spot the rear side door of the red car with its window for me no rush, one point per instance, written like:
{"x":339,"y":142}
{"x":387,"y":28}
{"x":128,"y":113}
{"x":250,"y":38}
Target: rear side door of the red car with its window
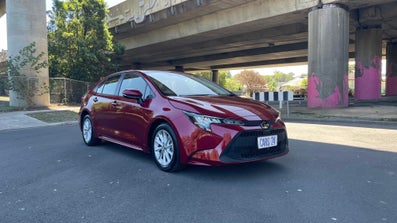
{"x":103,"y":108}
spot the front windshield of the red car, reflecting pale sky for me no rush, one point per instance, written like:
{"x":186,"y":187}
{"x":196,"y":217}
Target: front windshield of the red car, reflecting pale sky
{"x":179,"y":84}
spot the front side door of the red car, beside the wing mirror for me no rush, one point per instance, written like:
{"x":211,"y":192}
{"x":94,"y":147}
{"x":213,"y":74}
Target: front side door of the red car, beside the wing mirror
{"x":133,"y":117}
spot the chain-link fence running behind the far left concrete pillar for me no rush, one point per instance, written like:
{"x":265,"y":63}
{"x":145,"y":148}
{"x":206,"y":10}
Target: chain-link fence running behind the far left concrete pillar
{"x":62,"y":90}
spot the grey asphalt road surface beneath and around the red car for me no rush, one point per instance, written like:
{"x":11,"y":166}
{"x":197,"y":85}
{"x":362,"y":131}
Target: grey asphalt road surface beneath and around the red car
{"x":47,"y":174}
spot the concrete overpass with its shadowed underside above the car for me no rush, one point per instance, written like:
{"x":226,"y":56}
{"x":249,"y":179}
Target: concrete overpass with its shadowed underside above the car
{"x":210,"y":35}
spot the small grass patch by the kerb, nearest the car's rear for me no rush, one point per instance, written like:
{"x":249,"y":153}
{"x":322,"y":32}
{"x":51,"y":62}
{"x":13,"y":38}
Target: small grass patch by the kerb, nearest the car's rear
{"x":55,"y":116}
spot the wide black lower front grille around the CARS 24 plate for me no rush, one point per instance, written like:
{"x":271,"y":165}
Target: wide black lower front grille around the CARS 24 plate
{"x":244,"y":146}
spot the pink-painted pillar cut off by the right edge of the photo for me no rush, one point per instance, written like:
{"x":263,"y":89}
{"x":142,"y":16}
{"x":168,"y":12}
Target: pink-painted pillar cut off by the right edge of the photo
{"x":391,"y":69}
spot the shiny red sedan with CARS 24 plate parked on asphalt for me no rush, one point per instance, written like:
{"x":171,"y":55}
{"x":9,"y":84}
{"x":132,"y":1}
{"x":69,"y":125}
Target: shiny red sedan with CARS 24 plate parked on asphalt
{"x":181,"y":119}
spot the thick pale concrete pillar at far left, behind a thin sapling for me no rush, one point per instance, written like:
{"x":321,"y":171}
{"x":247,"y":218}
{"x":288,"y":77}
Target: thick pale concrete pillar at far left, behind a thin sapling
{"x":26,"y":23}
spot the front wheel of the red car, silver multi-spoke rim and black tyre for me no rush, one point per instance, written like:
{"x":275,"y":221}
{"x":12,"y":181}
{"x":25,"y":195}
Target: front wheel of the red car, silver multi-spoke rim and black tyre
{"x":165,"y":149}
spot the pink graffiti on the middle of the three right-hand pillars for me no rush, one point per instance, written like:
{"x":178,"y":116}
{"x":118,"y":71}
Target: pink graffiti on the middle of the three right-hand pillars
{"x":368,"y":85}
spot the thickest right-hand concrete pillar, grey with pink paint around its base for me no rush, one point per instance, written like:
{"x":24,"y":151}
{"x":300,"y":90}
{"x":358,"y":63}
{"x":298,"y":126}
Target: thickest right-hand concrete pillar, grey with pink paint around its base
{"x":328,"y":56}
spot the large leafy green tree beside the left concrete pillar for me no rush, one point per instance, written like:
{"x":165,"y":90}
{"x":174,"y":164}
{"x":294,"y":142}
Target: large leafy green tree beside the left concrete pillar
{"x":80,"y":45}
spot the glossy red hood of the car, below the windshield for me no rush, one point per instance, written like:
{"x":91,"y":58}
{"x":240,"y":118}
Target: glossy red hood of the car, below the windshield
{"x":233,"y":107}
